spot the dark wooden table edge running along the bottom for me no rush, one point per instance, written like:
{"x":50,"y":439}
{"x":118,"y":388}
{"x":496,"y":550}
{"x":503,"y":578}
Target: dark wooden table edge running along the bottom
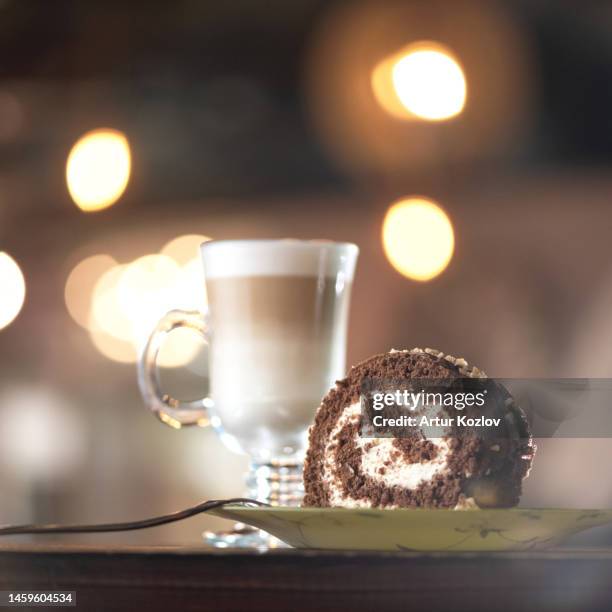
{"x":183,"y":579}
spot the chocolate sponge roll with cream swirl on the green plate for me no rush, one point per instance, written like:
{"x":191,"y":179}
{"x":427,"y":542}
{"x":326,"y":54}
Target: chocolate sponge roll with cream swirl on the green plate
{"x":473,"y":470}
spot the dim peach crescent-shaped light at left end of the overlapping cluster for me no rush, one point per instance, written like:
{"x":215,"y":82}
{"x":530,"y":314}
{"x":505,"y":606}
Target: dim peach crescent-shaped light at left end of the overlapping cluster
{"x":80,"y":285}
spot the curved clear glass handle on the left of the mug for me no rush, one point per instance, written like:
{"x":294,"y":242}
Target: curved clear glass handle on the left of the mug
{"x":169,"y":410}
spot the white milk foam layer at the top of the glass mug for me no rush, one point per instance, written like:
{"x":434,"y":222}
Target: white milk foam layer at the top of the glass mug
{"x":238,"y":258}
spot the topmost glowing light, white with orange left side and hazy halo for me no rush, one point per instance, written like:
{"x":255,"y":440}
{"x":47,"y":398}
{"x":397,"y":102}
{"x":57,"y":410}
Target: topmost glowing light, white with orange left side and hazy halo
{"x":423,"y":81}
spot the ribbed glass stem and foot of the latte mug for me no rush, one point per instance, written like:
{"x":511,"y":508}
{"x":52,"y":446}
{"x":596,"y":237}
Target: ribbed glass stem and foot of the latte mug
{"x":277,"y":482}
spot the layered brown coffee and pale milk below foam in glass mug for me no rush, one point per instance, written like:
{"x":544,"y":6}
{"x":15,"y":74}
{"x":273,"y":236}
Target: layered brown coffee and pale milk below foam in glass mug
{"x":277,"y":345}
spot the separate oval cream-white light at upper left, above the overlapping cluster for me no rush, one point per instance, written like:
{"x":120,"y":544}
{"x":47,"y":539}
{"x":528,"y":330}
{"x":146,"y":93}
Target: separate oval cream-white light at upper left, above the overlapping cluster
{"x":98,"y":169}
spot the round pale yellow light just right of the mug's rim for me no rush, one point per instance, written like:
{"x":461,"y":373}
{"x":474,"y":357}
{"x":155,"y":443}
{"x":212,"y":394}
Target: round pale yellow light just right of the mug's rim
{"x":418,"y":238}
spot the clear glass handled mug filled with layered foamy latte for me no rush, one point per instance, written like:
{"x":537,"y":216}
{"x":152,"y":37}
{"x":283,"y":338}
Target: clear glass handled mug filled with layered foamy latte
{"x":276,"y":326}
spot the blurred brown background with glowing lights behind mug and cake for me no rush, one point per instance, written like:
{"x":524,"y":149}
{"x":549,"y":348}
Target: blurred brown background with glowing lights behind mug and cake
{"x":465,"y":146}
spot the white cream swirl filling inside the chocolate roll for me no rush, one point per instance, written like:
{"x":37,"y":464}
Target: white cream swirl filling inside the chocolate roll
{"x":375,"y":452}
